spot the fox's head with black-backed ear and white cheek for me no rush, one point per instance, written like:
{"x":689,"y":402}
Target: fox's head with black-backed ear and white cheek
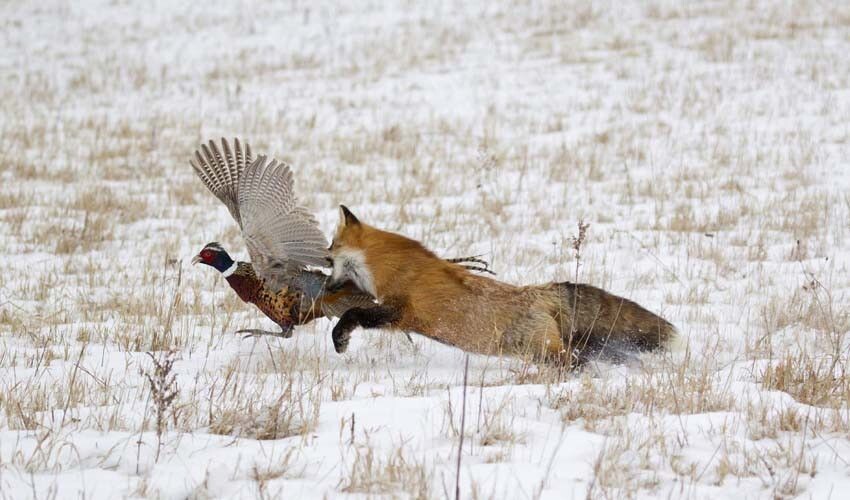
{"x":349,"y":254}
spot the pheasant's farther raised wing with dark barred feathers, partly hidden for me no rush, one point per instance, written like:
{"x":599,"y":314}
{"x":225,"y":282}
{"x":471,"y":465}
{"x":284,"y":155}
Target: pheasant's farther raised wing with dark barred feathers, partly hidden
{"x":221,"y":171}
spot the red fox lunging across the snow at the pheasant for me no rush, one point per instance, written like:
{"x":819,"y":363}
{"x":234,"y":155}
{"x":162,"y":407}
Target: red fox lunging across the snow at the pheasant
{"x":566,"y":323}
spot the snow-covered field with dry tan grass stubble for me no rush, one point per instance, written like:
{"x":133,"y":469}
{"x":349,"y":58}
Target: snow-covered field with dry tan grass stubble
{"x":706,"y":143}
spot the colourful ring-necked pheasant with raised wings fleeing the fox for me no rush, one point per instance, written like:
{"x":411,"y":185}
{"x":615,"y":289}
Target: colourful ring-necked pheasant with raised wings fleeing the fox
{"x":282,"y":238}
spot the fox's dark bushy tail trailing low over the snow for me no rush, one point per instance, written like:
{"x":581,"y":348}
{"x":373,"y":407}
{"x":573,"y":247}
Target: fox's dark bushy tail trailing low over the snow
{"x":601,"y":324}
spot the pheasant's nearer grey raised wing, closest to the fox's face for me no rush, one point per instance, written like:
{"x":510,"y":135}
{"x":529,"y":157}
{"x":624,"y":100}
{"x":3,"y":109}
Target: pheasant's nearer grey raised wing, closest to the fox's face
{"x":282,"y":237}
